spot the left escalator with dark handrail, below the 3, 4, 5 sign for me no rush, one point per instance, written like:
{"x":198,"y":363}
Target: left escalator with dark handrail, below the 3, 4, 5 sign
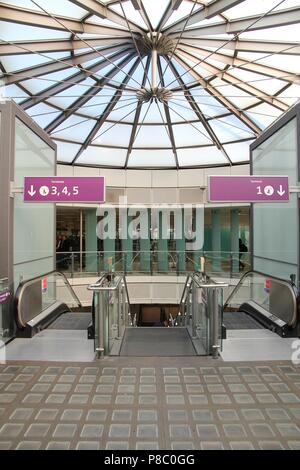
{"x":47,"y":301}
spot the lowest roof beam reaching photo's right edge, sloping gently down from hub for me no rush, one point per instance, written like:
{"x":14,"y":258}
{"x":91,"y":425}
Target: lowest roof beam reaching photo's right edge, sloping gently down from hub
{"x":243,"y":64}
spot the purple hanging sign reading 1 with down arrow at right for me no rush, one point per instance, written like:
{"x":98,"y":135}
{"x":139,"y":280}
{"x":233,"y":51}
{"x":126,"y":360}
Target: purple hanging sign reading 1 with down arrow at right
{"x":248,"y":188}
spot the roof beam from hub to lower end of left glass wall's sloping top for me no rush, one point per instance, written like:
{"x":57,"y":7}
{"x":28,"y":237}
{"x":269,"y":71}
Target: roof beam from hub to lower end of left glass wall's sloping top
{"x":92,"y":91}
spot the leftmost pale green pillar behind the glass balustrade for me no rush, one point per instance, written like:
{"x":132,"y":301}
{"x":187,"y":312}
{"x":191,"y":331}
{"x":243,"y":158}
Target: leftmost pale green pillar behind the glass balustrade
{"x":91,"y":264}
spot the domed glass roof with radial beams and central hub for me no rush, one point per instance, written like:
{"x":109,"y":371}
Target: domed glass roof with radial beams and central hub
{"x":151,"y":83}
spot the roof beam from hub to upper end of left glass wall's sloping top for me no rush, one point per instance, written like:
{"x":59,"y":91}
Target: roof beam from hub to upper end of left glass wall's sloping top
{"x":73,"y":80}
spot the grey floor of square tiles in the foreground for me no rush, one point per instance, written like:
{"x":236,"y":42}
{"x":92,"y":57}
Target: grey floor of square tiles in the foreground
{"x":150,"y":403}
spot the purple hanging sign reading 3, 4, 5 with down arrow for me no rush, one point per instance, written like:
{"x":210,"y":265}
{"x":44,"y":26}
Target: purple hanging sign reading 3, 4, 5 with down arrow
{"x":64,"y":189}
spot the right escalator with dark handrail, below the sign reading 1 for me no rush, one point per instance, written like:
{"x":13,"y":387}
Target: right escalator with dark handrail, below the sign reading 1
{"x":263,"y":301}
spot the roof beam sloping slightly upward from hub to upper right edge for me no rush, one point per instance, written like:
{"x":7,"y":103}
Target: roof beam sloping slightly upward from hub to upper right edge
{"x":251,"y":23}
